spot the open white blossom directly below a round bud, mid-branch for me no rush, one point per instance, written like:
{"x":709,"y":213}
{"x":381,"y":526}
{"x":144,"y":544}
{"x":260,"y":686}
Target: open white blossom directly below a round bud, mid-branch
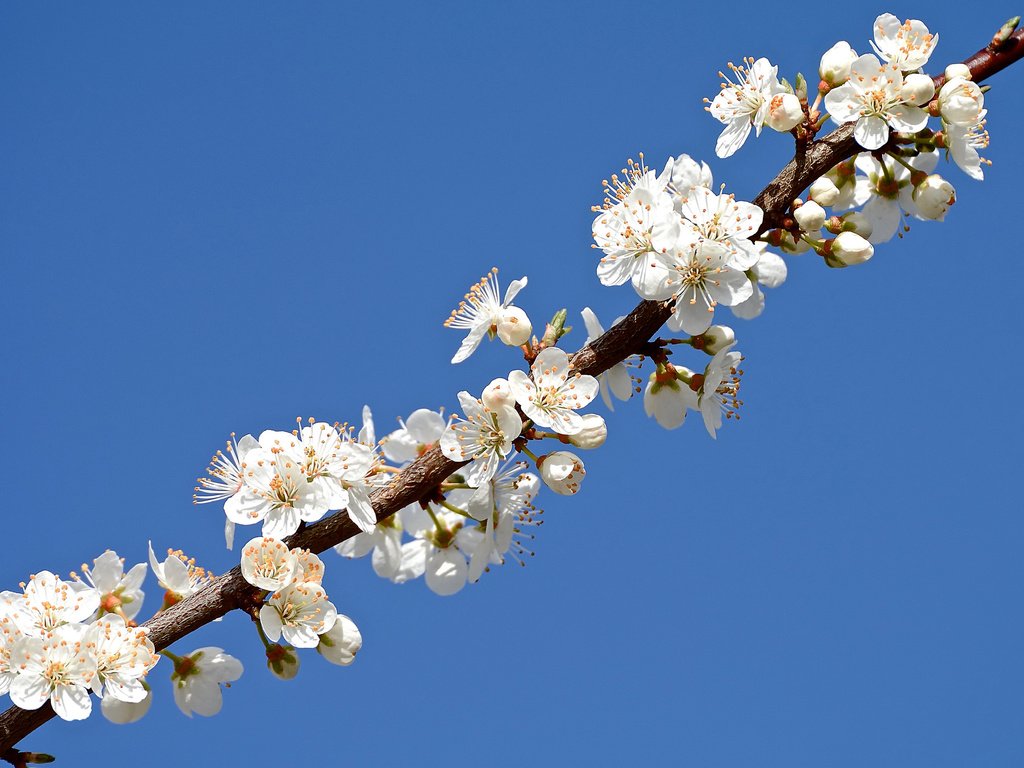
{"x":484,"y":438}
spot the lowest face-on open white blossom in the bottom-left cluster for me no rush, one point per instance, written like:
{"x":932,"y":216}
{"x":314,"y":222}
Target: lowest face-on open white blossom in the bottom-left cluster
{"x":58,"y":669}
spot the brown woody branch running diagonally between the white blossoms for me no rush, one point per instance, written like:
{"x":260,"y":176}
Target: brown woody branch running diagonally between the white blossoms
{"x":230,"y":591}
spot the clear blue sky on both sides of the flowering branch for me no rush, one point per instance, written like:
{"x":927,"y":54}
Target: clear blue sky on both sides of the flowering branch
{"x":219,"y":218}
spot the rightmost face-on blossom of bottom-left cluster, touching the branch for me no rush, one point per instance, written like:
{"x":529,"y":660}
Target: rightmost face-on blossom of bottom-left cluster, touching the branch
{"x":123,"y":657}
